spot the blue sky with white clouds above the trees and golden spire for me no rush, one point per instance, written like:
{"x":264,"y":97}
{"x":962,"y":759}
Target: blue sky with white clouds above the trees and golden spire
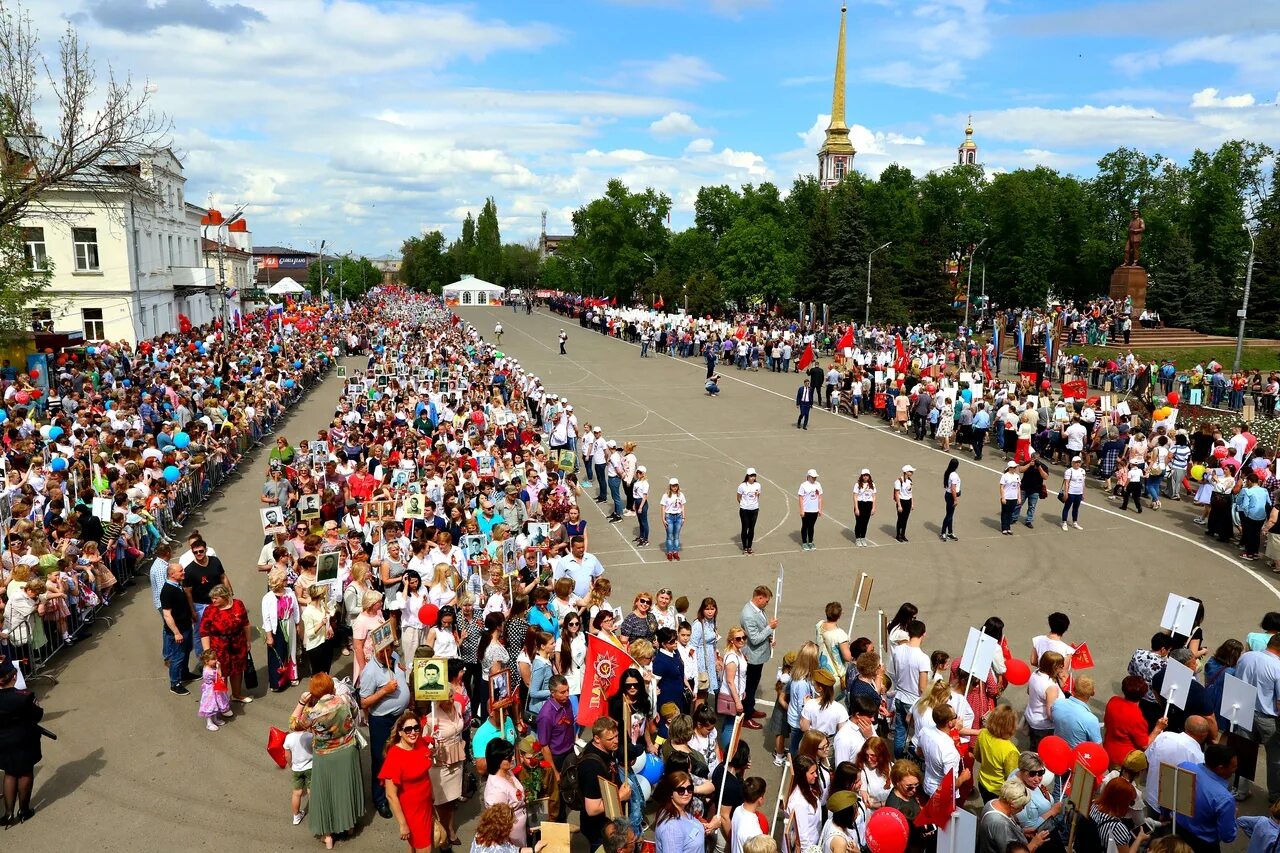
{"x":363,"y":122}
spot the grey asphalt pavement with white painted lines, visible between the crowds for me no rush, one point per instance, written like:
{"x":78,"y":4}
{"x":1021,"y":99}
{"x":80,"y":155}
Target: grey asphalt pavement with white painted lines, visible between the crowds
{"x":135,"y":769}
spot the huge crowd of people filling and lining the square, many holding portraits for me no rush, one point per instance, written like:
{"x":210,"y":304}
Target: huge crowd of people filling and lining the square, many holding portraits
{"x":428,"y":576}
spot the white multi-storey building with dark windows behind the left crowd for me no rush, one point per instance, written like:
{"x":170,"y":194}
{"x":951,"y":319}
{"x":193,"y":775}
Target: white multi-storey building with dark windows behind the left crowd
{"x":126,"y":253}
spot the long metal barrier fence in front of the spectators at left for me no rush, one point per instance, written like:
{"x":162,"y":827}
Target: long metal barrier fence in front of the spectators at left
{"x":34,"y":633}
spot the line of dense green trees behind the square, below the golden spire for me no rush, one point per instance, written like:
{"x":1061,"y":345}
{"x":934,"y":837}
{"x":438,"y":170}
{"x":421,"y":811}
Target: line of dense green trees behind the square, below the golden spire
{"x":1040,"y":236}
